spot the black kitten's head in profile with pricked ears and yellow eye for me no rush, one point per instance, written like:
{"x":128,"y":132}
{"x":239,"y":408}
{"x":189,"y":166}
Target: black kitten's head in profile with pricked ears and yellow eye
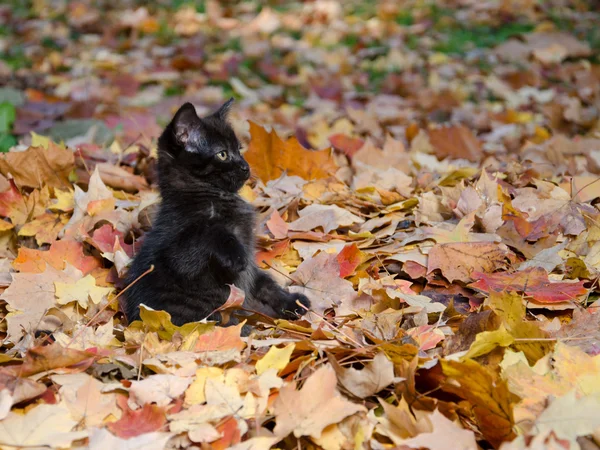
{"x":194,"y":151}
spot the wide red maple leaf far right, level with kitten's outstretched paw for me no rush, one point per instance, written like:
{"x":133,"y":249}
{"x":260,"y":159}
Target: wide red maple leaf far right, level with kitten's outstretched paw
{"x":533,"y":282}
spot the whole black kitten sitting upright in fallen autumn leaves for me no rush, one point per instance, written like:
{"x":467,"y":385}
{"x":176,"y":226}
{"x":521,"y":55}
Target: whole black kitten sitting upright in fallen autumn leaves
{"x":203,"y":237}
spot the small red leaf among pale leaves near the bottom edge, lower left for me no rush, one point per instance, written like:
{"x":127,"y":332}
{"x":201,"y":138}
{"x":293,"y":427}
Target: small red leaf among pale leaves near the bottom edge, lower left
{"x":132,"y":423}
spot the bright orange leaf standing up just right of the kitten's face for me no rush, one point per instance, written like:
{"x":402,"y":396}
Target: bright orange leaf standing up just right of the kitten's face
{"x":269,"y":157}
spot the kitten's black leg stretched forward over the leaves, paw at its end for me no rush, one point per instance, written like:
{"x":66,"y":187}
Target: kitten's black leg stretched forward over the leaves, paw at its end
{"x":266,"y":290}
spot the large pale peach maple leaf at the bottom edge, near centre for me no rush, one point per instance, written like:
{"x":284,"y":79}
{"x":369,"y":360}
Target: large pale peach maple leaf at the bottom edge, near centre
{"x":316,"y":405}
